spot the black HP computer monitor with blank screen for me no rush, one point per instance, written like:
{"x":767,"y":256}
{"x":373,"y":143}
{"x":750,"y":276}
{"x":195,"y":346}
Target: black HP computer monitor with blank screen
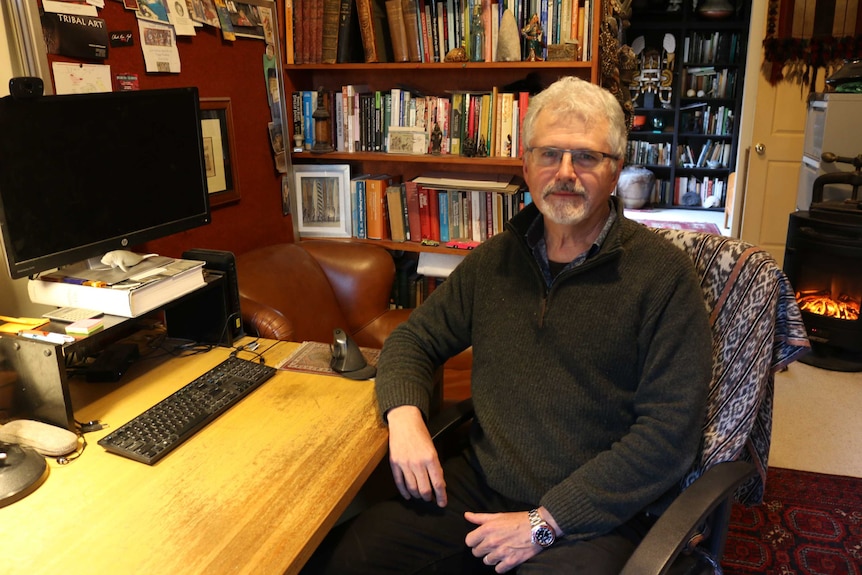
{"x":84,"y":174}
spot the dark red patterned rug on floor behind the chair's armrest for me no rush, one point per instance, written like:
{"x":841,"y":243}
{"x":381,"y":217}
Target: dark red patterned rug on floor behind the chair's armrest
{"x":808,"y":524}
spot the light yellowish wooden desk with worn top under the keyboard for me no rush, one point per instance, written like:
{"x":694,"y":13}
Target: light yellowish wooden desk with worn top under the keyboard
{"x":253,"y":492}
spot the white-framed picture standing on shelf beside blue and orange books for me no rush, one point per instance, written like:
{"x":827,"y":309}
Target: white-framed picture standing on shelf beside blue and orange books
{"x":323,"y":200}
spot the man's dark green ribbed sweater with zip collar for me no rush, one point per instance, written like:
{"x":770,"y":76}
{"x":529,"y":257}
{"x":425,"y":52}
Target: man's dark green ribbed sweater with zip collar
{"x":589,"y":395}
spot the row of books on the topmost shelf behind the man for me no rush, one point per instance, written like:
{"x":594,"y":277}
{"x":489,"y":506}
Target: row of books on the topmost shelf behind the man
{"x":343,"y":31}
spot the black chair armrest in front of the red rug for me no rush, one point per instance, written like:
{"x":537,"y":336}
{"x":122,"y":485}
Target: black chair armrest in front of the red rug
{"x":670,"y":534}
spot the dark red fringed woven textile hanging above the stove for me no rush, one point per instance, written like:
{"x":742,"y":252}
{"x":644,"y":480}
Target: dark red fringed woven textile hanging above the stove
{"x":804,"y":37}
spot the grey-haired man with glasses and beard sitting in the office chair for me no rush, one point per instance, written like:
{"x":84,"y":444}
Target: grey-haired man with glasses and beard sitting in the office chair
{"x":592,"y":360}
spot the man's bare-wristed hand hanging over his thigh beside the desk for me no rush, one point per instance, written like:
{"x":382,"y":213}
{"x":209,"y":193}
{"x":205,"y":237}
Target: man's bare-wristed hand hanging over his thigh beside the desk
{"x":413,"y":457}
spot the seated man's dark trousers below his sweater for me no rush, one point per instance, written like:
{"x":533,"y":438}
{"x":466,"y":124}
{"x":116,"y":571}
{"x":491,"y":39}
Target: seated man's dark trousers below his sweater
{"x":415,"y":537}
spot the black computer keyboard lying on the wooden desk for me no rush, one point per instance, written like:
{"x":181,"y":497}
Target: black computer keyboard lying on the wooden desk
{"x":152,"y":434}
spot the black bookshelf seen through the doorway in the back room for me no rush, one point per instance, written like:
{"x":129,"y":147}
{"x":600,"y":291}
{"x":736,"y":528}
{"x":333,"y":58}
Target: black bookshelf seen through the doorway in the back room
{"x":687,"y":130}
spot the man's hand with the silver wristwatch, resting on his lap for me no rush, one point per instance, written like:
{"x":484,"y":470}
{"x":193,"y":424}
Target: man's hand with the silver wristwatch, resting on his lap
{"x":503,"y":539}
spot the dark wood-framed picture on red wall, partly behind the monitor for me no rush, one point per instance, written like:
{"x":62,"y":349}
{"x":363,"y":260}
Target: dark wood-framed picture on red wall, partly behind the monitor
{"x":218,"y":141}
